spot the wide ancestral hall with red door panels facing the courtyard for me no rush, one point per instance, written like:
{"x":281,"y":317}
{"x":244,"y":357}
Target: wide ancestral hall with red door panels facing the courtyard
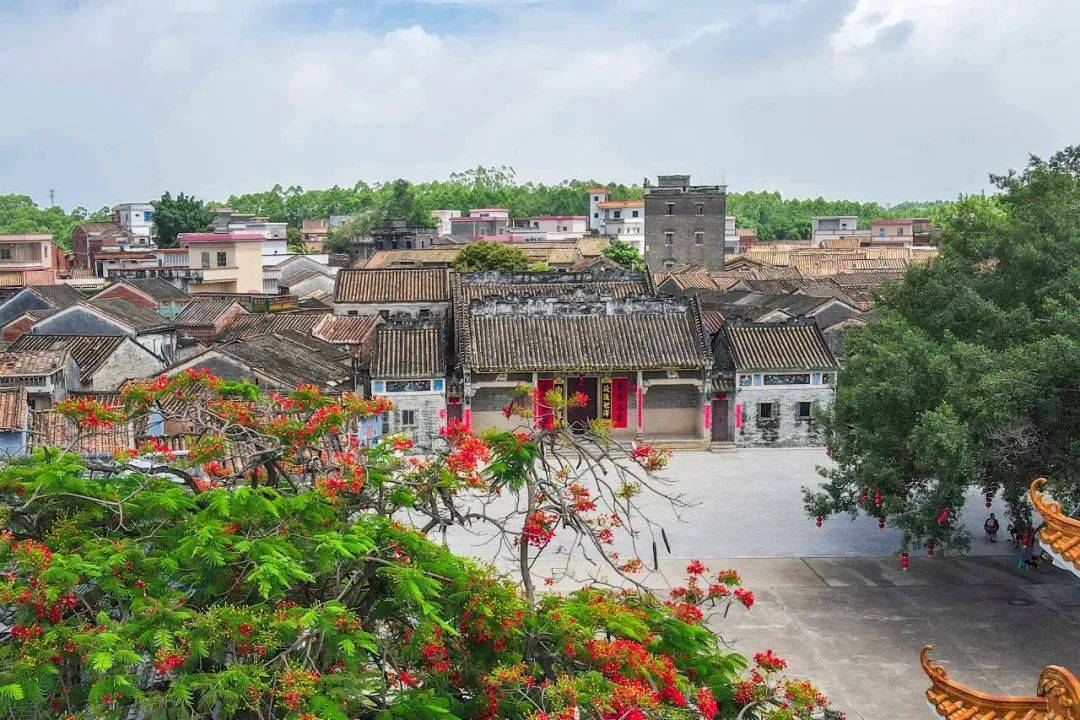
{"x":638,"y":357}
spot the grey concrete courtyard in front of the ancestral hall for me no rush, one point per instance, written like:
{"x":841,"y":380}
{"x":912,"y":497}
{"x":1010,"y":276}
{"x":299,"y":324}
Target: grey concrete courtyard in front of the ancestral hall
{"x":834,"y":602}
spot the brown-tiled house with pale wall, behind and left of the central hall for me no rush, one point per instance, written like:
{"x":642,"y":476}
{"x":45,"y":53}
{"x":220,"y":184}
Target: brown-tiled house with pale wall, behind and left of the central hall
{"x":417,"y":293}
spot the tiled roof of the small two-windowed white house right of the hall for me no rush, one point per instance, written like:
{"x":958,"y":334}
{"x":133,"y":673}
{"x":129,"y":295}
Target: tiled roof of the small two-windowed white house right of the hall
{"x":778,"y":347}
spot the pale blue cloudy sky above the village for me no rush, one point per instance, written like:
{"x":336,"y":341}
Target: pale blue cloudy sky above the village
{"x":117,"y":101}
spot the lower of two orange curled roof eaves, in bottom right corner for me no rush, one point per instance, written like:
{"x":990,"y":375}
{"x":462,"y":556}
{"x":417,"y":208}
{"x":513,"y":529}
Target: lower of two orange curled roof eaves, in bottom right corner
{"x":1058,"y":697}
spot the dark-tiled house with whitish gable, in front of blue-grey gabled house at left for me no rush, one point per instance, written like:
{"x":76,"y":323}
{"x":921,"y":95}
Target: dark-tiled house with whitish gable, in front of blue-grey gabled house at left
{"x":105,"y":362}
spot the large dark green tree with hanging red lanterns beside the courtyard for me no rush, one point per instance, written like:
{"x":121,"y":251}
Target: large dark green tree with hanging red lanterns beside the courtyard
{"x":970,"y":379}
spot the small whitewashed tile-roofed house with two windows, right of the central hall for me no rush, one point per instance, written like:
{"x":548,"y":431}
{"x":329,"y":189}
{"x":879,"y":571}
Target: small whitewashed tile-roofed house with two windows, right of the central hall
{"x":771,"y":379}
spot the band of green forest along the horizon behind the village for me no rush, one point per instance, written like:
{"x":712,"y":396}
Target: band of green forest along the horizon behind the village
{"x":774,"y":216}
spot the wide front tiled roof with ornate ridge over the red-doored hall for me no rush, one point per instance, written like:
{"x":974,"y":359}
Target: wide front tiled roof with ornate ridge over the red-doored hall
{"x":509,"y":336}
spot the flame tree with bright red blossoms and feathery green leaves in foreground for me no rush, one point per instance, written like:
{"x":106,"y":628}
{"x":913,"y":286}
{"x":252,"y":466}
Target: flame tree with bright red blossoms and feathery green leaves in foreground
{"x":247,"y":565}
